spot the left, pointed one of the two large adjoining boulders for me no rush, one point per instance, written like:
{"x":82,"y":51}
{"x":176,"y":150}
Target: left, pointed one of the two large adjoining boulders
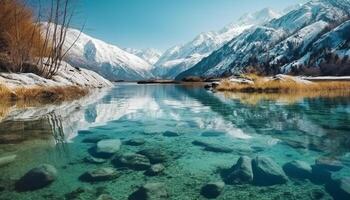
{"x":241,"y":173}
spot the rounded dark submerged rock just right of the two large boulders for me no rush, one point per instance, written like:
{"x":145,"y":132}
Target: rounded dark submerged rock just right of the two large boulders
{"x":298,"y":169}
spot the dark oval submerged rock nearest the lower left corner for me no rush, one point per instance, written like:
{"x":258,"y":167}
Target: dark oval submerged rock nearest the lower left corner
{"x":37,"y":178}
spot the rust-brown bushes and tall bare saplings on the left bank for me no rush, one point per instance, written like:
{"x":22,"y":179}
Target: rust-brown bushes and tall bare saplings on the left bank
{"x":26,"y":45}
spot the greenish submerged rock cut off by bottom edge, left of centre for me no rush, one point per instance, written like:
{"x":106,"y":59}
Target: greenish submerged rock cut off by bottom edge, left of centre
{"x":150,"y":191}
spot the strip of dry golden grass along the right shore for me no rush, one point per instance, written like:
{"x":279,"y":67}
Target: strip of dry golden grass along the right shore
{"x":263,"y":85}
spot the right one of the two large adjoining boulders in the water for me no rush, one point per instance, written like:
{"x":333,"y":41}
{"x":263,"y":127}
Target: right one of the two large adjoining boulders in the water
{"x":266,"y":172}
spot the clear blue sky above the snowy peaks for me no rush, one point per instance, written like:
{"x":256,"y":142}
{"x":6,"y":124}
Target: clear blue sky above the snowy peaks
{"x":163,"y":23}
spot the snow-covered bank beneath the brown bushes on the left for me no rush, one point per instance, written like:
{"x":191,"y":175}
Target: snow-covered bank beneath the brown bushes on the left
{"x":66,"y":76}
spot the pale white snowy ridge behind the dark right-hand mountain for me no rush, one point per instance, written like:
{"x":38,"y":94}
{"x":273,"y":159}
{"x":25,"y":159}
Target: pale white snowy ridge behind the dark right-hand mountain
{"x":180,"y":58}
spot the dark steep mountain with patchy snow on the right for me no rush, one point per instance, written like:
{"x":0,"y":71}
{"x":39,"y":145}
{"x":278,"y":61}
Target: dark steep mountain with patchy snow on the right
{"x":302,"y":37}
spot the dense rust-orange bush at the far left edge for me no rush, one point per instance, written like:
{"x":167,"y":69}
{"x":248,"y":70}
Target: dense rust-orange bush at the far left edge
{"x":20,"y":37}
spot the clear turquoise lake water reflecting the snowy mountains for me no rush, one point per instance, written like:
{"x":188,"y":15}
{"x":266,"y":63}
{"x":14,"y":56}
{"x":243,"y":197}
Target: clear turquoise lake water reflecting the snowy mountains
{"x":199,"y":136}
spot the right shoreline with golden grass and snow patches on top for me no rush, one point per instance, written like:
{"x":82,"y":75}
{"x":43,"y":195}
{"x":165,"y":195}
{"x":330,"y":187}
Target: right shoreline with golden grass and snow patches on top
{"x":282,"y":84}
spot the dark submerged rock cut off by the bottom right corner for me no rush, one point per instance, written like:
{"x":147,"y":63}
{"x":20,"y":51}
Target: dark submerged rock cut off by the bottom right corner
{"x":340,"y":188}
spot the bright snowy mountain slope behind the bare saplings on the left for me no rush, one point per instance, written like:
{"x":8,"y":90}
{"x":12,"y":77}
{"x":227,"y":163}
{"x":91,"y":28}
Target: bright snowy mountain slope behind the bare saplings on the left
{"x":108,"y":60}
